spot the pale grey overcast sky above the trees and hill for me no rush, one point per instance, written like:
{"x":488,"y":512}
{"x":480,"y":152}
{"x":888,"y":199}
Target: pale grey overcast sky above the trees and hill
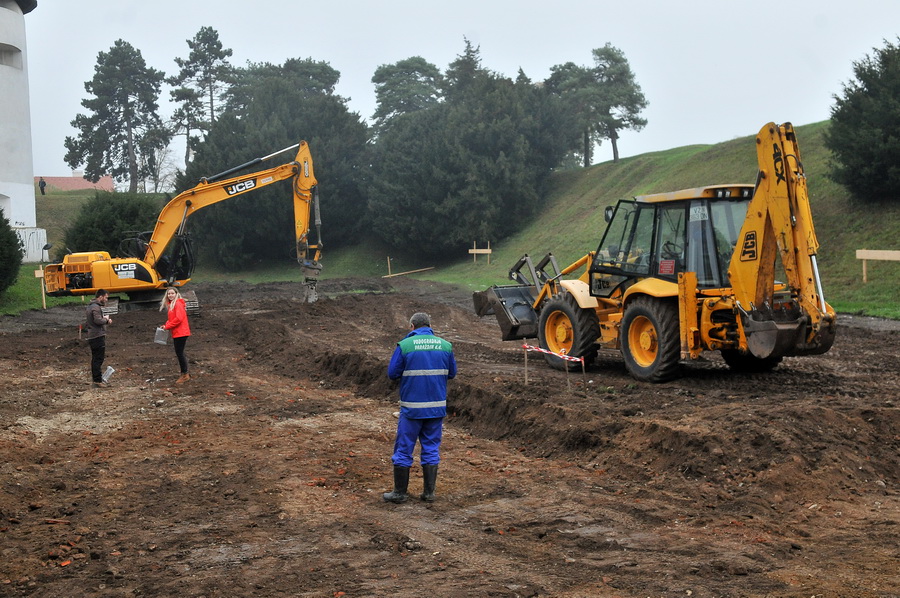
{"x":711,"y":70}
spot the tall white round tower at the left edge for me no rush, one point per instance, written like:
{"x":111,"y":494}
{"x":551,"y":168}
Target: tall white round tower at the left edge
{"x":16,"y":165}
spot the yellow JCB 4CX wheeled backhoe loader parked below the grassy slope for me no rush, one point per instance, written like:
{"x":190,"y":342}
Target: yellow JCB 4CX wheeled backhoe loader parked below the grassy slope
{"x":680,"y":273}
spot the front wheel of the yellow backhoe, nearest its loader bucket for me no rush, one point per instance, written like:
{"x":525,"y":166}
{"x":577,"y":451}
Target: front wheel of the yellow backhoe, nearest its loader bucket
{"x":566,"y":328}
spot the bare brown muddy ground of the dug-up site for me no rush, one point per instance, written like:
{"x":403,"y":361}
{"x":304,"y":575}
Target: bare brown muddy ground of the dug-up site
{"x":263,"y":475}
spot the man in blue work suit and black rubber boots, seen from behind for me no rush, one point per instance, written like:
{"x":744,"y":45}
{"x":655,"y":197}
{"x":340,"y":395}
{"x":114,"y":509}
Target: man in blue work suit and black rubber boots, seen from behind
{"x":423,"y":362}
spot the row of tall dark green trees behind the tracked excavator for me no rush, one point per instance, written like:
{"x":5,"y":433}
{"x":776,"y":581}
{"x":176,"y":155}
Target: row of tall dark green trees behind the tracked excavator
{"x":450,"y":156}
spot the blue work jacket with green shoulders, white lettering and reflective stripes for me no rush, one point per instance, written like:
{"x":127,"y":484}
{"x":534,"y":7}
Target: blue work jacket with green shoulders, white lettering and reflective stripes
{"x":423,"y":363}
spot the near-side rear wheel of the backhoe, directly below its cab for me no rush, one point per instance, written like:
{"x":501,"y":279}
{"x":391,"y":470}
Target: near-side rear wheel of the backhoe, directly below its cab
{"x":651,"y":340}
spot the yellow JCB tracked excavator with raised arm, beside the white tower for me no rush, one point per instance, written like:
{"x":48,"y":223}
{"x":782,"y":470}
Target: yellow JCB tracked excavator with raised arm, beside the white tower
{"x":165,"y":256}
